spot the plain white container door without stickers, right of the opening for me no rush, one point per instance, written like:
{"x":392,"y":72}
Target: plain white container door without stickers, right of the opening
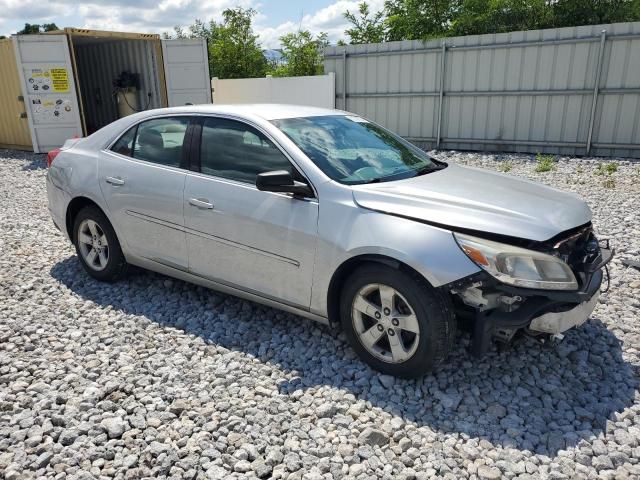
{"x":186,"y":67}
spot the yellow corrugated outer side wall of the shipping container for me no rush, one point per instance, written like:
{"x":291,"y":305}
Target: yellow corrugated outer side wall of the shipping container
{"x":14,"y":129}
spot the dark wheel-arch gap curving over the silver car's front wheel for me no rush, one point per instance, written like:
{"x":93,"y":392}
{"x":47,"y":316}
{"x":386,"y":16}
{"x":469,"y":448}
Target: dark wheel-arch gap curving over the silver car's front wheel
{"x":348,"y":267}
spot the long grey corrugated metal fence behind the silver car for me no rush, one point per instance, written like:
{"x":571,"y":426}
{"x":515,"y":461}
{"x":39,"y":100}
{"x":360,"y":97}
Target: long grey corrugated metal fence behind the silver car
{"x":567,"y":91}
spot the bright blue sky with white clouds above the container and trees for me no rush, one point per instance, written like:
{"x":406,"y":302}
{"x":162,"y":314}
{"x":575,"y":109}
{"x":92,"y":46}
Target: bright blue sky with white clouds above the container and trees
{"x":274,"y":18}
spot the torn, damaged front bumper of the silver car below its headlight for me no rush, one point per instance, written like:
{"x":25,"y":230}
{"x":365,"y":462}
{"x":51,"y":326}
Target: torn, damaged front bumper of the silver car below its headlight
{"x":501,"y":310}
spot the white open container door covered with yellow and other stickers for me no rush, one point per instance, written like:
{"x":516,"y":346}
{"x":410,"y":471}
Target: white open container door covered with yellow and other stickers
{"x":49,"y":89}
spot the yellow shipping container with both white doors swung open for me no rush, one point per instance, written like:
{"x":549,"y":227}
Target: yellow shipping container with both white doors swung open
{"x":76,"y":81}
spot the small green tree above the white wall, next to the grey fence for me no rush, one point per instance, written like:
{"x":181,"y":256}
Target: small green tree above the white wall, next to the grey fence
{"x":302,"y":54}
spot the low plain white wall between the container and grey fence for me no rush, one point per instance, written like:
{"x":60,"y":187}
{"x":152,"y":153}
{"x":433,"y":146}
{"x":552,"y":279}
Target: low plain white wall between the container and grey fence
{"x":316,"y":91}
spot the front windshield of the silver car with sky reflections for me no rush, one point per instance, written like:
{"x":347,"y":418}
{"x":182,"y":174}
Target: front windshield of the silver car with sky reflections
{"x":352,"y":150}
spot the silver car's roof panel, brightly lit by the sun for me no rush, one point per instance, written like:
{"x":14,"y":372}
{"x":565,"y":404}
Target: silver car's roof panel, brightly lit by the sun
{"x":267,"y":111}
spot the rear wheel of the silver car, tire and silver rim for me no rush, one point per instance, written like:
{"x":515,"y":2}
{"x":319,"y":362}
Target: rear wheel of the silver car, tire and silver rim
{"x":97,"y":245}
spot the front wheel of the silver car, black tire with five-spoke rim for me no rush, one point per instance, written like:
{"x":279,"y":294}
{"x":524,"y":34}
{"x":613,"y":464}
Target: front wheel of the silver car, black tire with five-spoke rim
{"x":396,"y":321}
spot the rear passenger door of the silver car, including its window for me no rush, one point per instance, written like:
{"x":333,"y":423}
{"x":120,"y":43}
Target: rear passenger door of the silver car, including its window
{"x":142,"y":179}
